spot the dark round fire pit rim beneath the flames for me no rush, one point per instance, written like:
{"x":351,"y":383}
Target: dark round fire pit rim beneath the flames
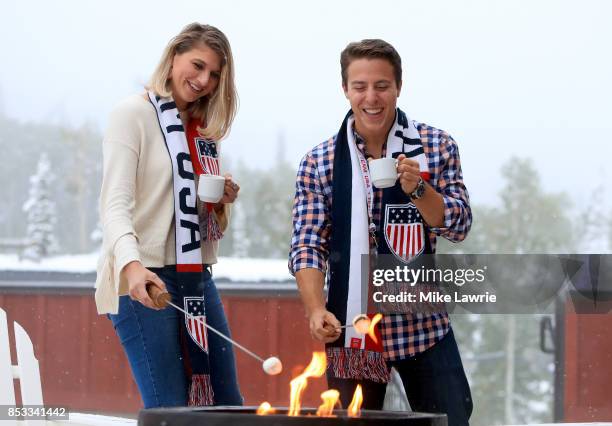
{"x":228,"y":416}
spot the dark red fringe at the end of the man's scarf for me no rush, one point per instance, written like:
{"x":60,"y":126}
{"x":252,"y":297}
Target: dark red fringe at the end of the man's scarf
{"x":349,"y":363}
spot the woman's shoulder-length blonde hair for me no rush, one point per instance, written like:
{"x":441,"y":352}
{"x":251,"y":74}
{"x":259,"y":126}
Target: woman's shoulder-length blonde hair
{"x":217,"y":109}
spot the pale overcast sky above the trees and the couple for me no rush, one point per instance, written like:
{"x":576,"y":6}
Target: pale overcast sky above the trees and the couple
{"x":522,"y":77}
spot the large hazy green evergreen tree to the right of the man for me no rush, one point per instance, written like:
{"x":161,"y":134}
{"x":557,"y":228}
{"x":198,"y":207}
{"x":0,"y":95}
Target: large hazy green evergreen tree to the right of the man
{"x":511,"y":379}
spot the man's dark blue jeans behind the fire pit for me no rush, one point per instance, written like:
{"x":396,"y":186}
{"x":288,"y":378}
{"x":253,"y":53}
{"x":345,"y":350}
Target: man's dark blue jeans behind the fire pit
{"x":434,"y":382}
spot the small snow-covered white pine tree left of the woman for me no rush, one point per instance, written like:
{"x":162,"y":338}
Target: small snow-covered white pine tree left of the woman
{"x":41,"y":214}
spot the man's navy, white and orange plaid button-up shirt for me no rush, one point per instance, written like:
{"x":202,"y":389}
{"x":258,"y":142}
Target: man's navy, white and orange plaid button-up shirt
{"x":404,"y":335}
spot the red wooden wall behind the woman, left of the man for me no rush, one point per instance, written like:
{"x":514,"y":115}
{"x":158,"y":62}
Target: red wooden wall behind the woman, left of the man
{"x":83,"y":365}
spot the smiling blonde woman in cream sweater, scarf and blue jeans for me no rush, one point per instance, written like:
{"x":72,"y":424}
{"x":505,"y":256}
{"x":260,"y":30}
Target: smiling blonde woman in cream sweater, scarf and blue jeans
{"x":156,"y":231}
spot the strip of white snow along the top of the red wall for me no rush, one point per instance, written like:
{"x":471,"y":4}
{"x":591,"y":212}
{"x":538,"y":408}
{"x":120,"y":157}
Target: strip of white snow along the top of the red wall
{"x":230,"y":268}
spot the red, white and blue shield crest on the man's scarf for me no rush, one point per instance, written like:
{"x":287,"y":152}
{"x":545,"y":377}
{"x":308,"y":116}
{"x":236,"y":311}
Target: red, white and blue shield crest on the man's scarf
{"x":404,"y":231}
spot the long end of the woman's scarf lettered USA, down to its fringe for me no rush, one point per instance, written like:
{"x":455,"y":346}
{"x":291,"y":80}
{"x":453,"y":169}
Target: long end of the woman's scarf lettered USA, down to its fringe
{"x":188,"y":245}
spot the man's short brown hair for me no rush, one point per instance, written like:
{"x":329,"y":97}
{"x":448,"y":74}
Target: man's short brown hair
{"x":370,"y":49}
